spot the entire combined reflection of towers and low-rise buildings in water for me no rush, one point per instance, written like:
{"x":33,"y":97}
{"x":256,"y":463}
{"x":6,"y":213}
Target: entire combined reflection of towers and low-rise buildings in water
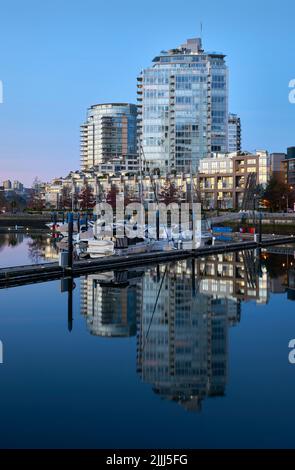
{"x":181,"y":313}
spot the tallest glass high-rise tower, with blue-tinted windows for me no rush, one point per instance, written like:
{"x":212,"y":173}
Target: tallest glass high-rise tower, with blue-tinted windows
{"x":183,"y":108}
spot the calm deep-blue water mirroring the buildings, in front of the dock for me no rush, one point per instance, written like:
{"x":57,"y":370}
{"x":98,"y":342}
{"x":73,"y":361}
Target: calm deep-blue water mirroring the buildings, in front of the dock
{"x":150,"y":358}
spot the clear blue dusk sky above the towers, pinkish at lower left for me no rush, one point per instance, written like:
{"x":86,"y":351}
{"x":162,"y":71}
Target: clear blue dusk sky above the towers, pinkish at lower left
{"x":57,"y":58}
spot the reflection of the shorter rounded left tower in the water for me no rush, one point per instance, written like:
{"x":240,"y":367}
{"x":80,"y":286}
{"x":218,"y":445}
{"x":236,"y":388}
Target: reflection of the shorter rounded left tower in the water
{"x":110,"y":310}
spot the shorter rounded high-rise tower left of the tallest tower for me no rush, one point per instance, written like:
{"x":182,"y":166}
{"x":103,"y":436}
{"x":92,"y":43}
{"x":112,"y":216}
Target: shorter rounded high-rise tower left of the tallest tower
{"x":109,"y":138}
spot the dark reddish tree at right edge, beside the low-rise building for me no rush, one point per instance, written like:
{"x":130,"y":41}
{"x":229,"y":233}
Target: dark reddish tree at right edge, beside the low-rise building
{"x":275,"y":193}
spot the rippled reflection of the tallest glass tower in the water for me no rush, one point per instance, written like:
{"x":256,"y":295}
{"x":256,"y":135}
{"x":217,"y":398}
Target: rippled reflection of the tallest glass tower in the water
{"x":182,"y":338}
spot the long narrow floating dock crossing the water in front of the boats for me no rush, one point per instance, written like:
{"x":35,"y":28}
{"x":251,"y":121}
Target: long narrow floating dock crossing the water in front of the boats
{"x":40,"y":273}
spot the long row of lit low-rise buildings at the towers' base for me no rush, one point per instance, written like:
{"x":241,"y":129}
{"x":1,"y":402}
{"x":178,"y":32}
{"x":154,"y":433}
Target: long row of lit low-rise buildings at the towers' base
{"x":220,"y":183}
